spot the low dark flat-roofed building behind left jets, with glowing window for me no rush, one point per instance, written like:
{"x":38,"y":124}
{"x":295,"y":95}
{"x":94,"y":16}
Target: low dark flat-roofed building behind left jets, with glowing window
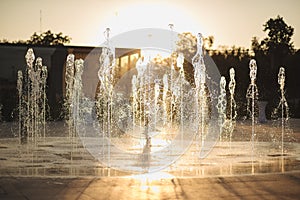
{"x":12,"y":59}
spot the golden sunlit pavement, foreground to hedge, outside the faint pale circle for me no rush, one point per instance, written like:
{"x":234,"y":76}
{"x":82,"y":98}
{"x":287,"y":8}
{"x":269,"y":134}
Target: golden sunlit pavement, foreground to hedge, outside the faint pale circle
{"x":54,"y":168}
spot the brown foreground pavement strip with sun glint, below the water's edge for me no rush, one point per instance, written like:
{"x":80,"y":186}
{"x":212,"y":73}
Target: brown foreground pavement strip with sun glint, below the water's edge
{"x":266,"y":186}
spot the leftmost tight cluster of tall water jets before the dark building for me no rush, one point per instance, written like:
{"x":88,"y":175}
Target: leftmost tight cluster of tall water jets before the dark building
{"x":32,"y":99}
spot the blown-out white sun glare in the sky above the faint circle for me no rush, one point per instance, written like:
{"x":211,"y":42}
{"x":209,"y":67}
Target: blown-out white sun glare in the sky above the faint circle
{"x":149,"y":15}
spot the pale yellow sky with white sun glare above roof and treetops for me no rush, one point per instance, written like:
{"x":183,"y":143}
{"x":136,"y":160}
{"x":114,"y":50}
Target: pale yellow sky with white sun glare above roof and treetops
{"x":231,"y":22}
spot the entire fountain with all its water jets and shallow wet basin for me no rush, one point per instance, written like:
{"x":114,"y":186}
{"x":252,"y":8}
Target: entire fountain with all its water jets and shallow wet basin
{"x":152,"y":118}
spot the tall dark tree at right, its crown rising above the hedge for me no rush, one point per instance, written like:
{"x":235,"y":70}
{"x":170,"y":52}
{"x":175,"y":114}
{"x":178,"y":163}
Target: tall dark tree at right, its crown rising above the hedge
{"x":271,"y":53}
